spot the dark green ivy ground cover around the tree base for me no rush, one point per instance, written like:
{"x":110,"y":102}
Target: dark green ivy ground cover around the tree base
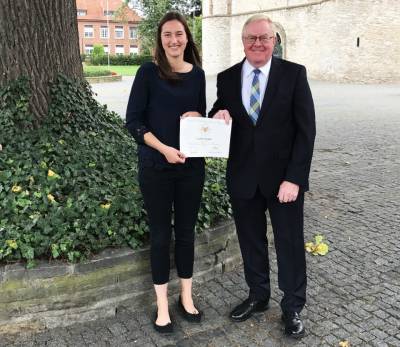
{"x":68,"y":187}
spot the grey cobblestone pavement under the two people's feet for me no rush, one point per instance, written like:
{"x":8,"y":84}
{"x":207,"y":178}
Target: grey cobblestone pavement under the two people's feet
{"x":353,"y":291}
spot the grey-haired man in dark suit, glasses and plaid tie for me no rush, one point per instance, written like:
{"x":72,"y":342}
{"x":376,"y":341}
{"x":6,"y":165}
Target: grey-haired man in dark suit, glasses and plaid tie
{"x":272,"y":142}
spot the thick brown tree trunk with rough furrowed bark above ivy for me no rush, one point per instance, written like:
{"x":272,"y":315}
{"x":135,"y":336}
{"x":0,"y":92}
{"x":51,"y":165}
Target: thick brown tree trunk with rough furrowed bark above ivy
{"x":38,"y":39}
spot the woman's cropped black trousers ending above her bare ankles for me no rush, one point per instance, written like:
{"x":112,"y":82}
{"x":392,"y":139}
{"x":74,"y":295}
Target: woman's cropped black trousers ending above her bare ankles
{"x":165,"y":189}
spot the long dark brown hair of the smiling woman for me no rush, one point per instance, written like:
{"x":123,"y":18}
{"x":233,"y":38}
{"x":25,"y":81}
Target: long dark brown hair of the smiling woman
{"x":191,"y":54}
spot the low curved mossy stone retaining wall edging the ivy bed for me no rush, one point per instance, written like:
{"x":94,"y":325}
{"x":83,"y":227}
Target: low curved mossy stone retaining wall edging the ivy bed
{"x":59,"y":294}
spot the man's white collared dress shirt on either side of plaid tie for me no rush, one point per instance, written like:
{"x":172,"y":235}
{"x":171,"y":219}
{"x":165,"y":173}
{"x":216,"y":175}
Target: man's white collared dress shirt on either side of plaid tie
{"x":247,"y":79}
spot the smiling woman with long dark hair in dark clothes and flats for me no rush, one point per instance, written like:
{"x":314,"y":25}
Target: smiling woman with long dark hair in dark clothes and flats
{"x":162,"y":93}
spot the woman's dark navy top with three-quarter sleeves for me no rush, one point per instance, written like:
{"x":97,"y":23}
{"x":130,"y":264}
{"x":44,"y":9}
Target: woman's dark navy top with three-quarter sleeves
{"x":156,"y":105}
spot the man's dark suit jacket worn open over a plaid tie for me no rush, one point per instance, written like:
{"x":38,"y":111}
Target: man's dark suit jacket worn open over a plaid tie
{"x":280,"y":146}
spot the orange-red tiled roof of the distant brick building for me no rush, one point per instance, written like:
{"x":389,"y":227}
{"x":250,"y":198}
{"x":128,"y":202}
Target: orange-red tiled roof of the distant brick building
{"x":95,"y":10}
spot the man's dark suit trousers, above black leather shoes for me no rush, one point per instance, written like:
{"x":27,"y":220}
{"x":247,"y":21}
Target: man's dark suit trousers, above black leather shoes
{"x":287,"y":225}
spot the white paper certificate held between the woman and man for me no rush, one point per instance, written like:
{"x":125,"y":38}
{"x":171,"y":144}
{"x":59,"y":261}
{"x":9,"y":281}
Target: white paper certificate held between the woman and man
{"x":204,"y":137}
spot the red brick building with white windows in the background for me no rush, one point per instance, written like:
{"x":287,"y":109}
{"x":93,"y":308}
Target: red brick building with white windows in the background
{"x":97,"y":24}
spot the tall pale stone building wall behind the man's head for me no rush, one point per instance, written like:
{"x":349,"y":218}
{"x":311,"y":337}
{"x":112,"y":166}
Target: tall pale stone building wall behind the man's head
{"x":337,"y":40}
